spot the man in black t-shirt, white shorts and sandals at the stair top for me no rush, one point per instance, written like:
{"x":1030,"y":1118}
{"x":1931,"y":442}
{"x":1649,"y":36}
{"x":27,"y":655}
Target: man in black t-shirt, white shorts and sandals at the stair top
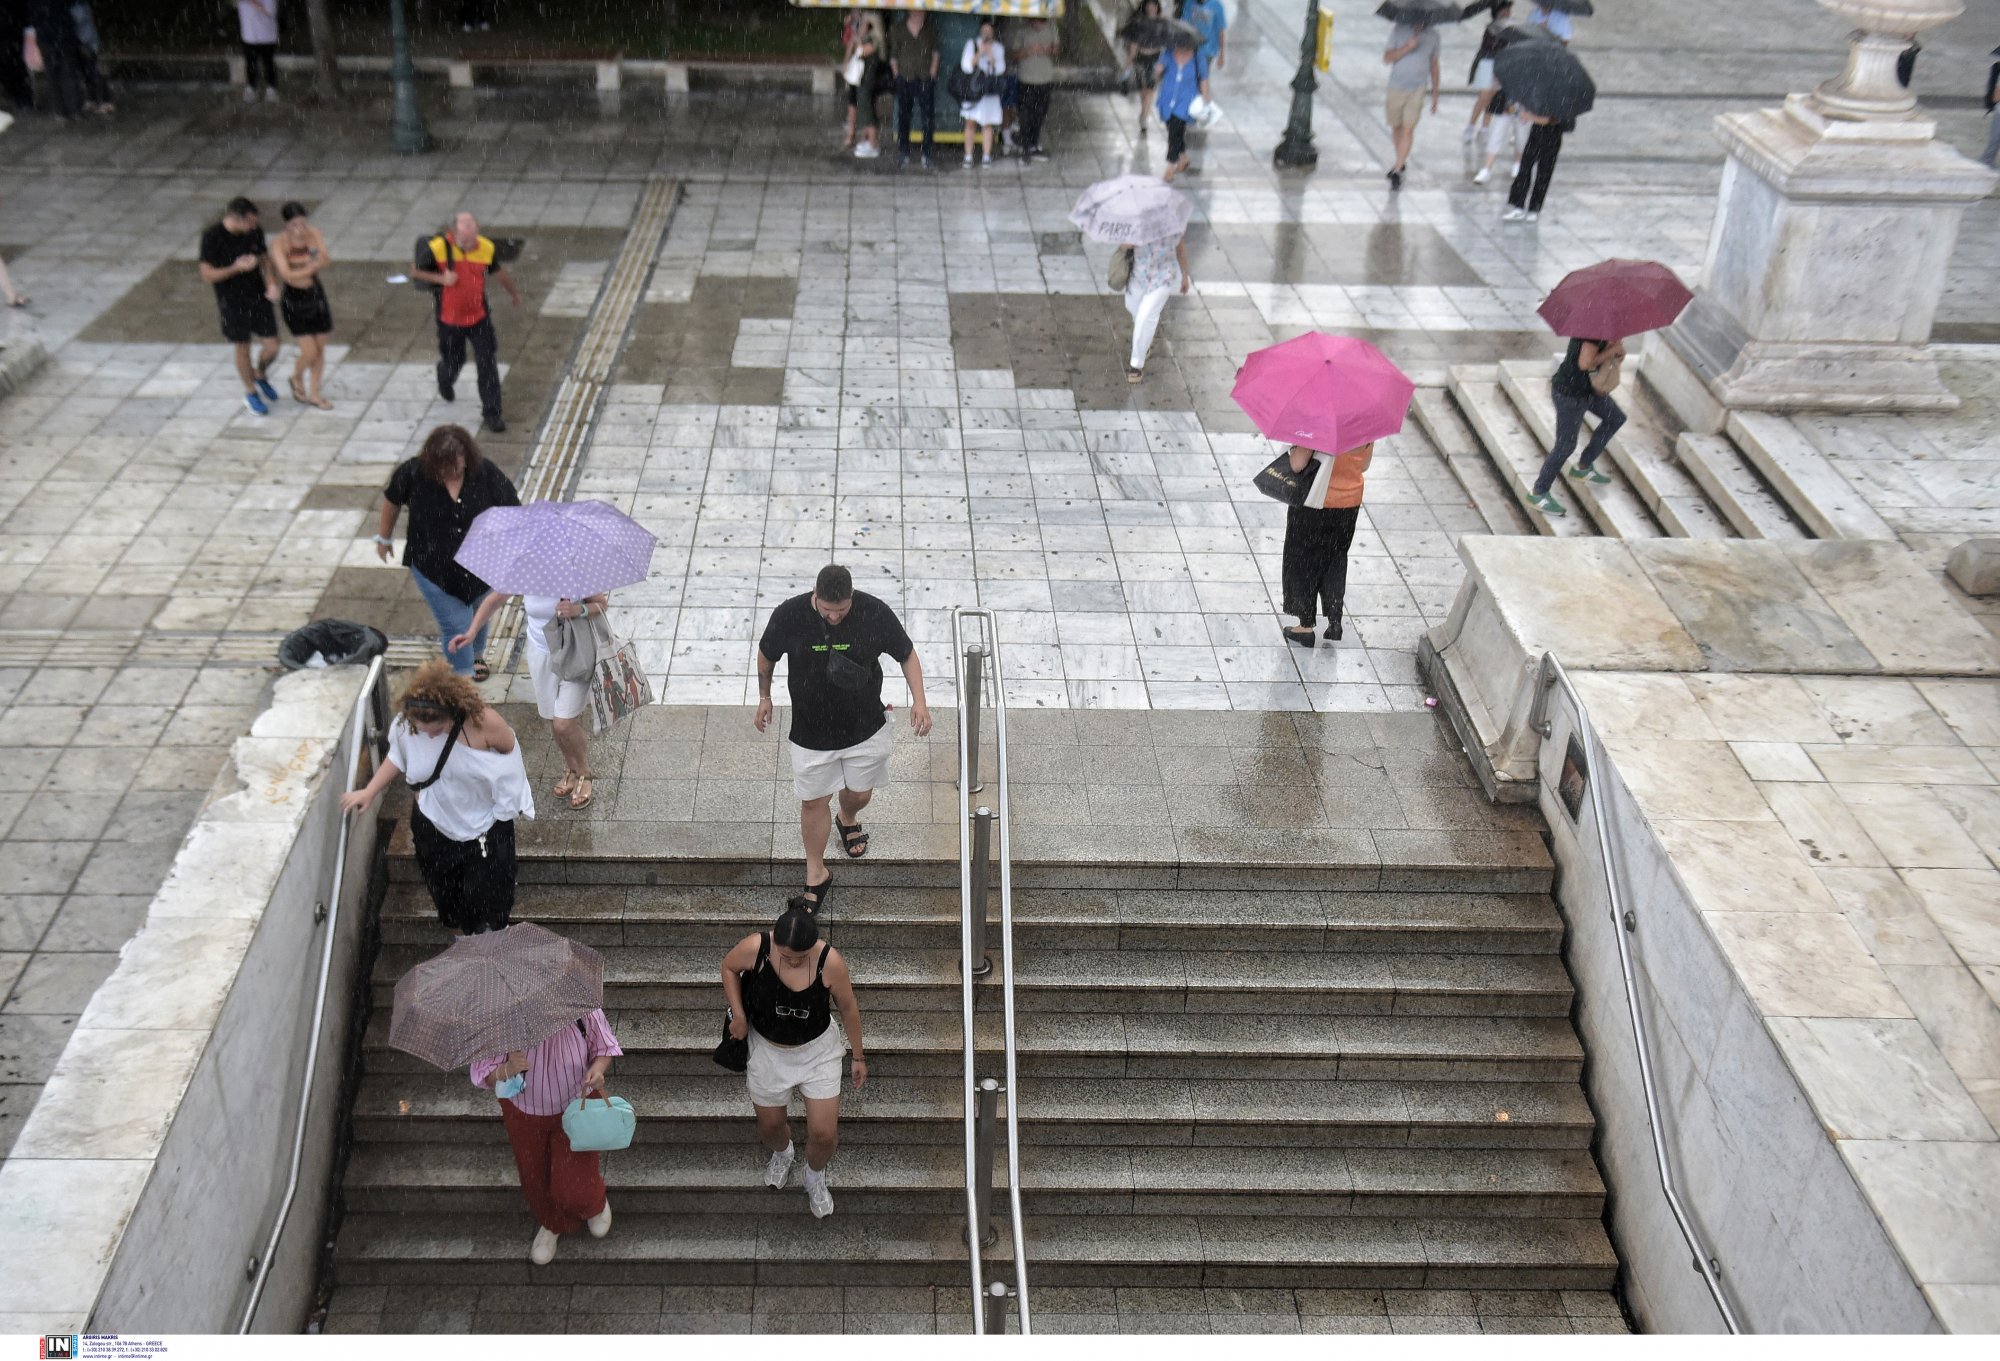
{"x":841,"y":736}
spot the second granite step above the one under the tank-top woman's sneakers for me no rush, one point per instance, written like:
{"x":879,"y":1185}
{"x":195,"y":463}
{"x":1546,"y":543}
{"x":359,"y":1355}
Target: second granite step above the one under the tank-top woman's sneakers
{"x":929,"y":1044}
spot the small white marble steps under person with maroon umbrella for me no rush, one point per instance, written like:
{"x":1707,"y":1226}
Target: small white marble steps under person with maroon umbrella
{"x":1763,"y":479}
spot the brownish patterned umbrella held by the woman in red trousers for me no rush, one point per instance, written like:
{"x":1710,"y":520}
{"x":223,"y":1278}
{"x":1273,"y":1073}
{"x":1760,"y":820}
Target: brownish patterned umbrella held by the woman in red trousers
{"x":495,"y":994}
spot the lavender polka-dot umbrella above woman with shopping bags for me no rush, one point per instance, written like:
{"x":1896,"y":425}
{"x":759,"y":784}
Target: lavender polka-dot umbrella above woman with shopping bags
{"x":565,"y":549}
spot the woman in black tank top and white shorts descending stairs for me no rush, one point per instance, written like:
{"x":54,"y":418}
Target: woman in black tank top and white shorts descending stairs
{"x":783,"y":988}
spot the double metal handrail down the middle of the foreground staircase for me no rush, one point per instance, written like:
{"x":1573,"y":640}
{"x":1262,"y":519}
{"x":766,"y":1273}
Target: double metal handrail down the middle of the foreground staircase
{"x":969,"y":704}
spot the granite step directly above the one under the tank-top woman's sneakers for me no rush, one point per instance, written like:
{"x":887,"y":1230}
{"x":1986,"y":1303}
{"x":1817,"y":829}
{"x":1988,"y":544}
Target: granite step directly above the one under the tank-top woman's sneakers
{"x":1063,"y":1112}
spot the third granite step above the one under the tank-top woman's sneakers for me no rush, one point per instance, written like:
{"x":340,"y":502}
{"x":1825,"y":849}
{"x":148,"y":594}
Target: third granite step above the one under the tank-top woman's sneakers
{"x":1143,"y":982}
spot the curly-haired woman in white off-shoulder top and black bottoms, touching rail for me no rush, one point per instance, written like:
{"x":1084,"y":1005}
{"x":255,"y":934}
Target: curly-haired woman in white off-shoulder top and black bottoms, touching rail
{"x":471,"y":786}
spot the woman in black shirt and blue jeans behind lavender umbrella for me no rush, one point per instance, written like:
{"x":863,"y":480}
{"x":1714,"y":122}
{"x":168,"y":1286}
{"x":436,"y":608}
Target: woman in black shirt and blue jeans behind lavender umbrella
{"x":447,"y":487}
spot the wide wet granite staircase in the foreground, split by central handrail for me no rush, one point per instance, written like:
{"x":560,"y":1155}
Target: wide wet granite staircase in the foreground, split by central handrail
{"x":1253,"y":1088}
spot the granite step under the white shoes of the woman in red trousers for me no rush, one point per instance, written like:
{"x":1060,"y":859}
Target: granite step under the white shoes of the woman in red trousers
{"x":929,"y":1250}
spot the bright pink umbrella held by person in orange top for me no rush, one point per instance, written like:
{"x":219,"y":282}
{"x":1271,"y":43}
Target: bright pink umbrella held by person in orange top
{"x":1329,"y":393}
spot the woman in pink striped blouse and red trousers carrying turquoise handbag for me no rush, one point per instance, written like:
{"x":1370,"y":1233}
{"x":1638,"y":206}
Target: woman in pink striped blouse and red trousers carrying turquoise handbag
{"x":565,"y":1188}
